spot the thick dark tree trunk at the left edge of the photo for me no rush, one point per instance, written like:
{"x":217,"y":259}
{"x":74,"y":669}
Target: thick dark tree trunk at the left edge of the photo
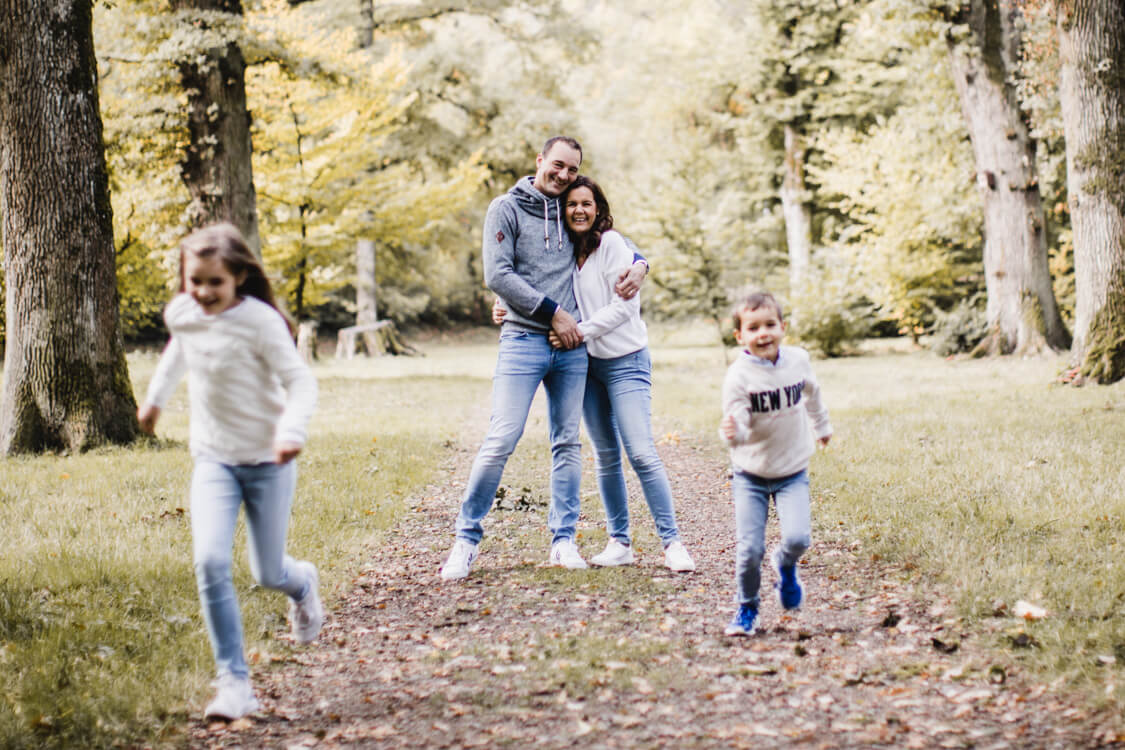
{"x":66,"y":382}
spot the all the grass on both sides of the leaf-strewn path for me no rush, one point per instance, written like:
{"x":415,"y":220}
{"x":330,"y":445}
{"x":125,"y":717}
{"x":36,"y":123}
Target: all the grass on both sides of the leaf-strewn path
{"x":978,"y":477}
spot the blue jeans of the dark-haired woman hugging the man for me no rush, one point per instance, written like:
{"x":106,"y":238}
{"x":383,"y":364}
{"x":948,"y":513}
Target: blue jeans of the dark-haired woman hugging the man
{"x":618,"y":410}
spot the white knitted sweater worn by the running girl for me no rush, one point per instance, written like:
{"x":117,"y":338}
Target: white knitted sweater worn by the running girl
{"x":248,"y":385}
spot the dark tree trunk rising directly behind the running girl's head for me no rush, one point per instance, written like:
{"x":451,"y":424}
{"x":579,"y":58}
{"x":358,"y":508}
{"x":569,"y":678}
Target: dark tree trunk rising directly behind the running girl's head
{"x":217,"y":168}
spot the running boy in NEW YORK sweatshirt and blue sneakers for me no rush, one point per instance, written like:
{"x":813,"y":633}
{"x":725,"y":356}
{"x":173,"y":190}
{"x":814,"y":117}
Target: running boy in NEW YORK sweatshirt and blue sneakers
{"x":770,"y":397}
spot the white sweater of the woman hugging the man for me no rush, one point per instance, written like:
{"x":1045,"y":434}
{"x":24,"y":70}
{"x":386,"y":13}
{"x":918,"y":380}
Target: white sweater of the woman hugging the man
{"x":610,"y":327}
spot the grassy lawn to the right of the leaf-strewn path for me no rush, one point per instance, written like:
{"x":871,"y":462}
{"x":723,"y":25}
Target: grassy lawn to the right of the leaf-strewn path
{"x":980,"y":477}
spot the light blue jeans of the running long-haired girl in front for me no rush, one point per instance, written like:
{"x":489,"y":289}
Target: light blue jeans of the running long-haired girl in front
{"x":218,"y":493}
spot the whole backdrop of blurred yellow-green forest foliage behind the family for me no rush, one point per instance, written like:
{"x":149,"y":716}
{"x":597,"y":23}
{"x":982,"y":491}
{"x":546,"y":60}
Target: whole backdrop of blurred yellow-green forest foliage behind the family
{"x":709,"y":124}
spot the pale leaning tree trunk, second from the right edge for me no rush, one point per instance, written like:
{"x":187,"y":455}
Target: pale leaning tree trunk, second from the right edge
{"x":1022,"y":312}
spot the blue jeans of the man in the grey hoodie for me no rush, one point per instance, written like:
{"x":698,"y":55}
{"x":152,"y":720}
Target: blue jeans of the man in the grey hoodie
{"x":526,"y":360}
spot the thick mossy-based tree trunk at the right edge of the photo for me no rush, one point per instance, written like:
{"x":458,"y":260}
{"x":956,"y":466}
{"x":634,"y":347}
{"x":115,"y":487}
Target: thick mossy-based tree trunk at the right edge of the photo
{"x":1092,"y":91}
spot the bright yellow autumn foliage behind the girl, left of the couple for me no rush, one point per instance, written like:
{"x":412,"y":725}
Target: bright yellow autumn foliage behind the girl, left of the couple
{"x":321,"y":113}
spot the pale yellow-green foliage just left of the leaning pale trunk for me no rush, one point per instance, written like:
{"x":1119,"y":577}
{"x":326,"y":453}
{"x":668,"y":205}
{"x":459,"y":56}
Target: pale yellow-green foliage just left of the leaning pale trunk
{"x":912,"y":213}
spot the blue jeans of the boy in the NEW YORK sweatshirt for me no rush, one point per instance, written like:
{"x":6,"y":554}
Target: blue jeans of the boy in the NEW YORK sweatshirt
{"x":752,"y":508}
